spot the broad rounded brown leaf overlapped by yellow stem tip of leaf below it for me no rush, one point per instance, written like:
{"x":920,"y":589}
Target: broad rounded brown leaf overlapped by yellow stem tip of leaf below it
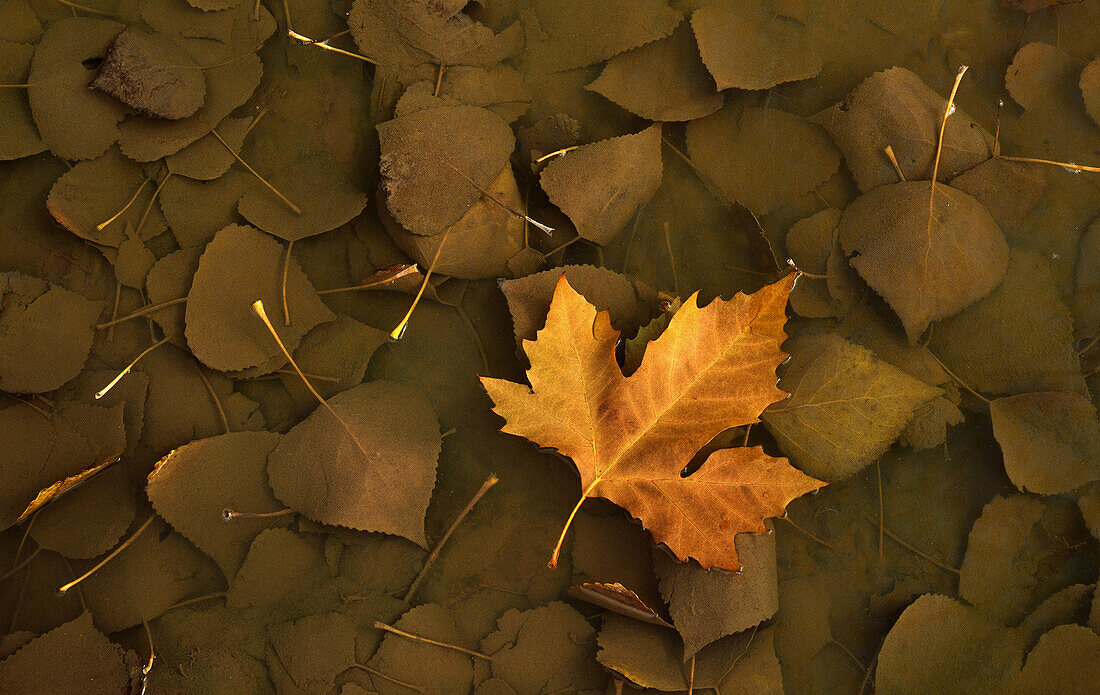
{"x":238,"y":268}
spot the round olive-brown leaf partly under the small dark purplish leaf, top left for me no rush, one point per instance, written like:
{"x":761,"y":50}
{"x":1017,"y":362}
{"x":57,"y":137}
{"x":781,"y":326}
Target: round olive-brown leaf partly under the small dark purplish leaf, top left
{"x":74,"y":122}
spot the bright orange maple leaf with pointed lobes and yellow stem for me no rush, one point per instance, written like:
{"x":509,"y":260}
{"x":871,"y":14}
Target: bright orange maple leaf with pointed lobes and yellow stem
{"x":712,"y":369}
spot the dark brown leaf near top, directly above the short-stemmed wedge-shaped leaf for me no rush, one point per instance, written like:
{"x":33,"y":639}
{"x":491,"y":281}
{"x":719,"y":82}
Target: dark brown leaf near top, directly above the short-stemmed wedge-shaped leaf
{"x":663,"y":81}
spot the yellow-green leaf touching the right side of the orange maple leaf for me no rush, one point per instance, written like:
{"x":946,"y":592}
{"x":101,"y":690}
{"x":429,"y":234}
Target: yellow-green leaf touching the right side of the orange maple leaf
{"x":846,"y":406}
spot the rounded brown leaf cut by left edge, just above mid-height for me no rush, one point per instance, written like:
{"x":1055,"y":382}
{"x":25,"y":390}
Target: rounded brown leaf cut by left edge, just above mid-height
{"x":46,"y":334}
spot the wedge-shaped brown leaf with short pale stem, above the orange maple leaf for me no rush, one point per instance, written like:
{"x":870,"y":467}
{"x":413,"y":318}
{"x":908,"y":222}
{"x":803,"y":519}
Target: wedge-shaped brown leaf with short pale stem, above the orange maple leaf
{"x":601,"y":186}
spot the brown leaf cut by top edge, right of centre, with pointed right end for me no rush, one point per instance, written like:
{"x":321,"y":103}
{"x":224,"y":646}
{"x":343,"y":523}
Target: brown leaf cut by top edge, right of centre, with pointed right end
{"x":747,"y":48}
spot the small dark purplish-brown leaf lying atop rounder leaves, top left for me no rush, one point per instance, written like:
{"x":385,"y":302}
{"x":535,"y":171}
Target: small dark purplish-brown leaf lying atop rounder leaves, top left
{"x":152,"y":75}
